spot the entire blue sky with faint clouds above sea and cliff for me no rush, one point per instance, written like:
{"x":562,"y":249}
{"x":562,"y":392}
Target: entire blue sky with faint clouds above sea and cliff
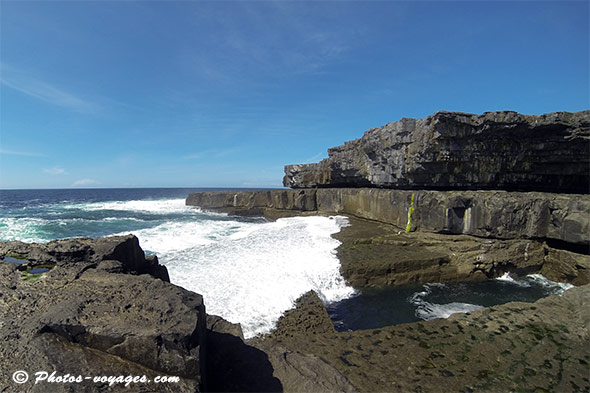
{"x":213,"y":94}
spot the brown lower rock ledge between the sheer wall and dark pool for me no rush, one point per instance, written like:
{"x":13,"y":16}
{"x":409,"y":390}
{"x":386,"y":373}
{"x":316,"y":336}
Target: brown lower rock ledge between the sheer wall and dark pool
{"x":373,"y":254}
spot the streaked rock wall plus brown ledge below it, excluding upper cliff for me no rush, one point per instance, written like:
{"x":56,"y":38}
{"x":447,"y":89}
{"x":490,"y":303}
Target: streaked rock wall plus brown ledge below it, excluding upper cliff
{"x":521,"y":233}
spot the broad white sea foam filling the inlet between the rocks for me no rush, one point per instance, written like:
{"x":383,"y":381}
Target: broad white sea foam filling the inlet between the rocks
{"x":251,"y":272}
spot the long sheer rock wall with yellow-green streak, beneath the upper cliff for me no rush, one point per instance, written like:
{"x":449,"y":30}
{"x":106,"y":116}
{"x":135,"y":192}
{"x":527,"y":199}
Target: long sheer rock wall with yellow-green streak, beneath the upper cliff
{"x":488,"y":214}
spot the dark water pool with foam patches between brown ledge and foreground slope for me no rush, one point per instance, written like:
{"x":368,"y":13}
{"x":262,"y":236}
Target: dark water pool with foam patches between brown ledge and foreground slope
{"x":375,"y":308}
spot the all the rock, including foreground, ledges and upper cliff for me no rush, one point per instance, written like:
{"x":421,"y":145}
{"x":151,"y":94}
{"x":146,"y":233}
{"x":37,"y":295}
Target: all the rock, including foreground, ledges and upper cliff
{"x":101,"y":307}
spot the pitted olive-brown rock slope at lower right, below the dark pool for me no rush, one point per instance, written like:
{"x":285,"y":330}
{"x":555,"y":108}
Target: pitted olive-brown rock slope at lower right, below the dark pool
{"x":529,"y":347}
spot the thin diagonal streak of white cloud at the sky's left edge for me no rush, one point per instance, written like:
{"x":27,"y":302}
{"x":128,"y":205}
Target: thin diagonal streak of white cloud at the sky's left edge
{"x":44,"y":91}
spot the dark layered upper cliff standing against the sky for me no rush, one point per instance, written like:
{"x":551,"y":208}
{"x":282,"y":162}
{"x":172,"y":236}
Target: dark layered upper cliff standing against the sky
{"x":450,"y":150}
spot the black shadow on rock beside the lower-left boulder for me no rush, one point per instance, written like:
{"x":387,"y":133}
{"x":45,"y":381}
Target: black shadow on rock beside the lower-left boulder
{"x":233,"y":366}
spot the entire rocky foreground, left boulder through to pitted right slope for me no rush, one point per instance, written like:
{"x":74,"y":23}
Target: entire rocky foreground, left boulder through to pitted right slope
{"x":103,"y":308}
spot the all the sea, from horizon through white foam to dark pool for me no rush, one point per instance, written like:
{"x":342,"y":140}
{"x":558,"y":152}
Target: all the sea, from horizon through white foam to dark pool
{"x":249,"y":270}
